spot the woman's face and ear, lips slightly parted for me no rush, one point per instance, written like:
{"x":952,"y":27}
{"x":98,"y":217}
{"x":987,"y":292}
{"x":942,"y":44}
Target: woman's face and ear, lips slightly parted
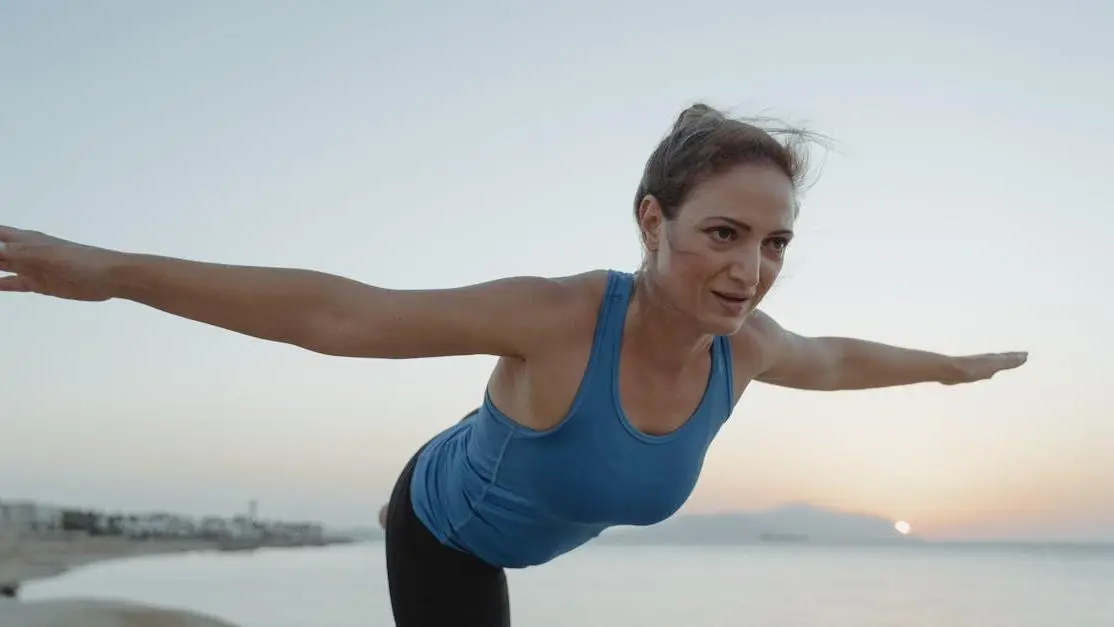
{"x":724,"y":251}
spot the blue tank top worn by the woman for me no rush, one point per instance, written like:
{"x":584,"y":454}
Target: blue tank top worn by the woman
{"x":517,"y":497}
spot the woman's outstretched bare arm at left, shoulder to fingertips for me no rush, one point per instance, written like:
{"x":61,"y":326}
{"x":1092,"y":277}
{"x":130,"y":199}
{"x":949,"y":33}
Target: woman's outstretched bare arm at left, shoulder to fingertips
{"x":317,"y":311}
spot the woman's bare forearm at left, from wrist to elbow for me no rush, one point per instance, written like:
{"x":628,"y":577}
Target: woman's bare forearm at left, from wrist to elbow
{"x":285,"y":306}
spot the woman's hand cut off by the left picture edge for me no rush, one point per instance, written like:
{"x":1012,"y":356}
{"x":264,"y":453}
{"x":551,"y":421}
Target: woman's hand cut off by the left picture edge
{"x":55,"y":268}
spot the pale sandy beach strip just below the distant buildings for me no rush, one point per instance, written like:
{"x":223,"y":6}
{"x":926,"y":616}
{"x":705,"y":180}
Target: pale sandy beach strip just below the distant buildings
{"x":27,"y":559}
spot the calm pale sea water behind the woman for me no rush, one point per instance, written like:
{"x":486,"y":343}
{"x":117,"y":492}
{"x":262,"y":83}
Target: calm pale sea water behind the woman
{"x":766,"y":586}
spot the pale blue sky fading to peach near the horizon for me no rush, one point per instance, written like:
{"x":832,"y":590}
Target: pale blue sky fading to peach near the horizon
{"x":963,"y":209}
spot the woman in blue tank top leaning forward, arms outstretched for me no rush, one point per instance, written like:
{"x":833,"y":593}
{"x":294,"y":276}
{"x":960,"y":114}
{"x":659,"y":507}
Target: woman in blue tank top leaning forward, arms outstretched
{"x":609,"y":389}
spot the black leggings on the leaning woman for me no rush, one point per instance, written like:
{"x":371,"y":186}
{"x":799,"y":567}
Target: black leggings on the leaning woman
{"x":434,"y":585}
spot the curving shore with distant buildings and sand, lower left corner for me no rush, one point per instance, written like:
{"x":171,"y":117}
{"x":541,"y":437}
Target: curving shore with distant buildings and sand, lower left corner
{"x":43,"y":542}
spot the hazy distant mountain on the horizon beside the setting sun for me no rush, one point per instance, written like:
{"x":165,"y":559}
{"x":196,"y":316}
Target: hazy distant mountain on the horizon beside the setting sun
{"x":794,"y":523}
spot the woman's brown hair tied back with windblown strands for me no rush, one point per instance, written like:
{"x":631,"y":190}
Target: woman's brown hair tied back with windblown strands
{"x":705,"y":143}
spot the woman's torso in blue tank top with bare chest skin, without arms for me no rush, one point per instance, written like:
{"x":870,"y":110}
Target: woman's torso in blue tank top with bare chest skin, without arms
{"x":604,"y":446}
